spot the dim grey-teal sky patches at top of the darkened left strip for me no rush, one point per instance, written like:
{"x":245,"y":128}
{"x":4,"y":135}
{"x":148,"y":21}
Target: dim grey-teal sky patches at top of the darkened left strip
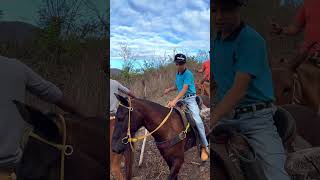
{"x":27,"y":10}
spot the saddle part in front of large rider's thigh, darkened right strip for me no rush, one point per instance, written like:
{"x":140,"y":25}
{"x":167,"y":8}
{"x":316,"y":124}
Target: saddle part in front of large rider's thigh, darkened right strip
{"x":232,"y":150}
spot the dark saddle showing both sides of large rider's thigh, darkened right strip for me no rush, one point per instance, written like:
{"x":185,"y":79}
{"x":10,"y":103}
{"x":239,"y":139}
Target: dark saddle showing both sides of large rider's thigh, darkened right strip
{"x":234,"y":151}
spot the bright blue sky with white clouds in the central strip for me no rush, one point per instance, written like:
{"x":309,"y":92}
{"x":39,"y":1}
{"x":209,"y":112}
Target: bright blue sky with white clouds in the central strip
{"x":154,"y":28}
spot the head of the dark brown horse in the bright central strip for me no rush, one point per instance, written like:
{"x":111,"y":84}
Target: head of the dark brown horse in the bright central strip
{"x":119,"y":137}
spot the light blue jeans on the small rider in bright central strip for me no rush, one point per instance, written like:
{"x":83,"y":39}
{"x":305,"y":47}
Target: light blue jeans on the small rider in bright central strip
{"x":193,"y":107}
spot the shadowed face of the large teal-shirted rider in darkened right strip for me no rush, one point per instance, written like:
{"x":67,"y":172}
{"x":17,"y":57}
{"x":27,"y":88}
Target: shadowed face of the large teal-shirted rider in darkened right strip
{"x":226,"y":16}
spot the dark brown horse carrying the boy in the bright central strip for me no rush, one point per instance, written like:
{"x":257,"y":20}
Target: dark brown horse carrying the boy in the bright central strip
{"x":150,"y":115}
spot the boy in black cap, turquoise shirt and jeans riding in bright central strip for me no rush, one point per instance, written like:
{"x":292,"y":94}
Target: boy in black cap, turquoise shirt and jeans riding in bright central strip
{"x":187,"y":91}
